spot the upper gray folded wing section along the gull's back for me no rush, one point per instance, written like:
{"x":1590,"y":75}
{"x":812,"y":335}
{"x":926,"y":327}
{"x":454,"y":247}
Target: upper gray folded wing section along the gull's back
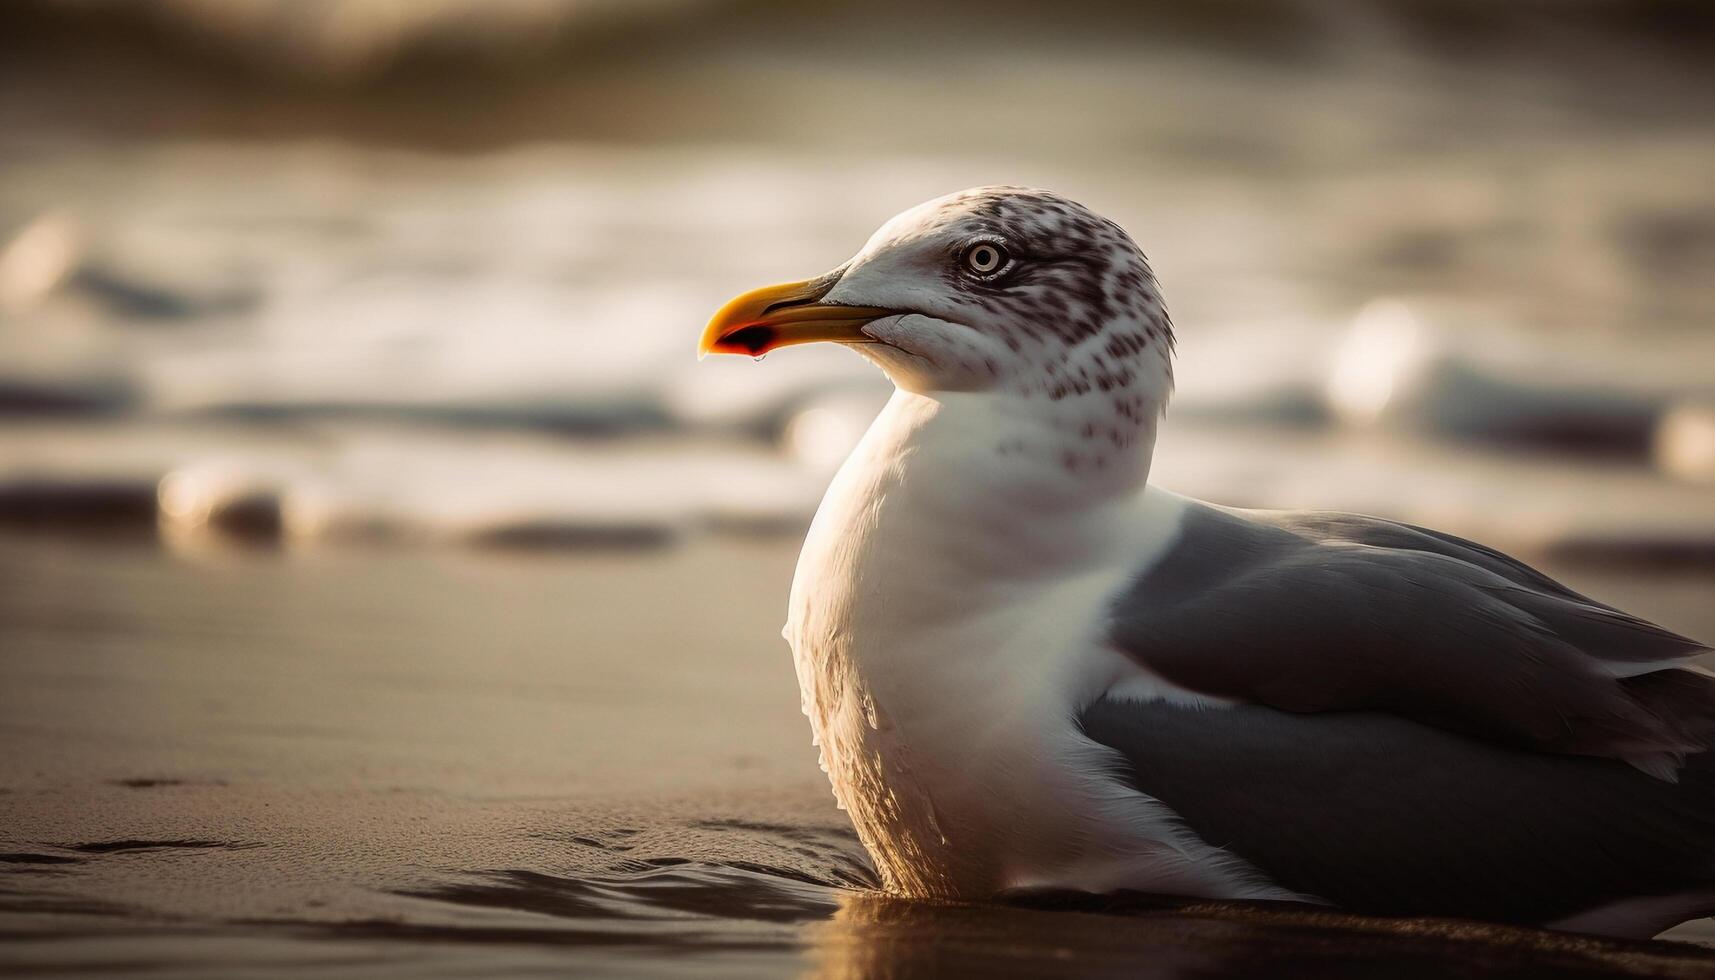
{"x":1316,"y":614}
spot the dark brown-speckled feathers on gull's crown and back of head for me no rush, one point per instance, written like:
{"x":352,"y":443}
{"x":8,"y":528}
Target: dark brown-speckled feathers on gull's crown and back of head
{"x":1076,"y":286}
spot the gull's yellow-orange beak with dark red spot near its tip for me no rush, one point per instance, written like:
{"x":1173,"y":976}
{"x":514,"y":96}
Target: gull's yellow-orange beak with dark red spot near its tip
{"x":781,"y":317}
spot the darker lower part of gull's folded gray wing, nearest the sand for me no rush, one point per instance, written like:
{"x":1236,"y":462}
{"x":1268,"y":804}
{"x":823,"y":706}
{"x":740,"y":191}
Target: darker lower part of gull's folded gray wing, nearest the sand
{"x":1387,"y":816}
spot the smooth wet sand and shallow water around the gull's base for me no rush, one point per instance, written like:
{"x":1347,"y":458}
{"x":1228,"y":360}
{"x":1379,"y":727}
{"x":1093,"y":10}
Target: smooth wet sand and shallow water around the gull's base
{"x":253,"y":763}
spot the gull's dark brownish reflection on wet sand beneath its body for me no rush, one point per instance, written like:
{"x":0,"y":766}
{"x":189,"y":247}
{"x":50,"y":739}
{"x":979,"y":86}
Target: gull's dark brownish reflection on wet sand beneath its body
{"x":874,"y":938}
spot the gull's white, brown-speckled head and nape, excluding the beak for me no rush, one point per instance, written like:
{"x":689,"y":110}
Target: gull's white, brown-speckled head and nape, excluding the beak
{"x":1033,"y":299}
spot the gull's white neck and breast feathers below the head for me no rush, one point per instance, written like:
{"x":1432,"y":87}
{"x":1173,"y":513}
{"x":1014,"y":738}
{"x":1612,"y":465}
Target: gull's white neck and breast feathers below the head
{"x":946,"y":624}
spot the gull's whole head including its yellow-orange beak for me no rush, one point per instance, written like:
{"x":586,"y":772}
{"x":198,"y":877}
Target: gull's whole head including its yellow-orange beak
{"x":994,"y":289}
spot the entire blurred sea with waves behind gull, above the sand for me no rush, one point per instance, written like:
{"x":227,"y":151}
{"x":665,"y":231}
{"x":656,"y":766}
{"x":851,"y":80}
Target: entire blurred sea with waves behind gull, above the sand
{"x":431,"y":272}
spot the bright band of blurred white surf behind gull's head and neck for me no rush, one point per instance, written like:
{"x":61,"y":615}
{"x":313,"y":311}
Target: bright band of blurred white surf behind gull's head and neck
{"x":498,"y":351}
